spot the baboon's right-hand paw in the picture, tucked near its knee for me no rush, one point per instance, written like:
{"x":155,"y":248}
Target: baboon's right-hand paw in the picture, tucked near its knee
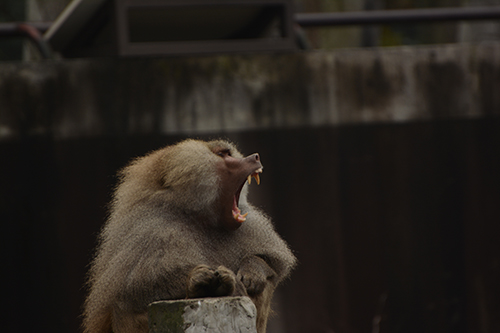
{"x":255,"y":274}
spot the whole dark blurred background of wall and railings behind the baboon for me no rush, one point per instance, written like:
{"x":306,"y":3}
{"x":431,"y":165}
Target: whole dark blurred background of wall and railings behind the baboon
{"x":380,"y":142}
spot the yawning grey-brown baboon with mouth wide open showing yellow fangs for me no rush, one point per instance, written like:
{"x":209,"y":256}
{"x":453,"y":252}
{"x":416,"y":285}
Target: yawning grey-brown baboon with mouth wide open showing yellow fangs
{"x":180,"y":227}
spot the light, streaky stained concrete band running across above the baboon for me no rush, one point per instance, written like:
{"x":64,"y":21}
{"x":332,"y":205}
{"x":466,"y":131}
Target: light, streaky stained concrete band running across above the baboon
{"x":97,"y":97}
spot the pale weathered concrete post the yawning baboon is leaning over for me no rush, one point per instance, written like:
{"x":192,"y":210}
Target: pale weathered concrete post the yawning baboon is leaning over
{"x":223,"y":314}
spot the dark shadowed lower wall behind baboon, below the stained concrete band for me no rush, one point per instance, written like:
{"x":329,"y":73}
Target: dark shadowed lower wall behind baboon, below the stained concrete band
{"x":395,"y":226}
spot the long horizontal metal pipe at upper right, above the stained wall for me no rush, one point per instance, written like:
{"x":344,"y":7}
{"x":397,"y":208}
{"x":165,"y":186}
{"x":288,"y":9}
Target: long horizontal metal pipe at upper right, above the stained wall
{"x":397,"y":16}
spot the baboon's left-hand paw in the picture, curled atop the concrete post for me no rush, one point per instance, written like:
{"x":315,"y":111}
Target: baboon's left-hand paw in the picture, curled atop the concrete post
{"x":204,"y":281}
